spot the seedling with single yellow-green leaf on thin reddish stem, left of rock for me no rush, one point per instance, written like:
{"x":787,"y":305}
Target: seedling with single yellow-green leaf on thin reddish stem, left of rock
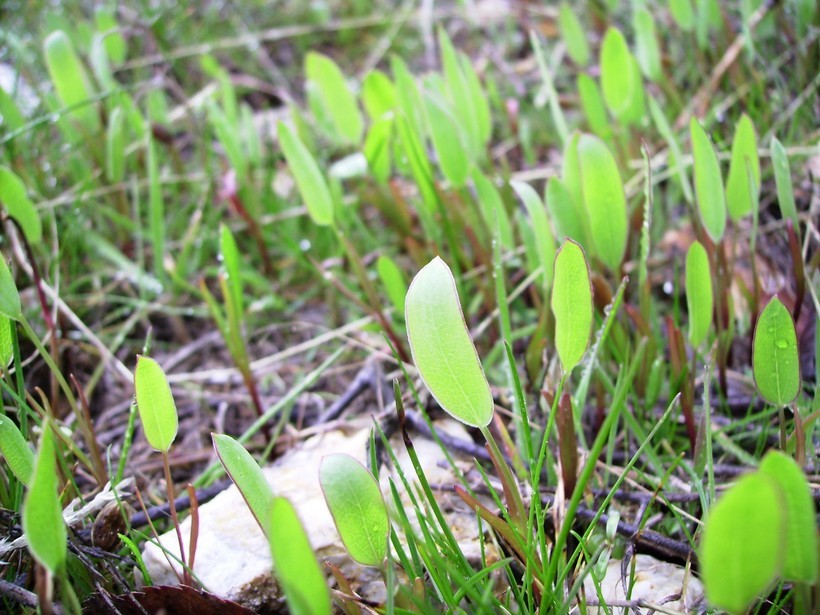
{"x":160,"y":422}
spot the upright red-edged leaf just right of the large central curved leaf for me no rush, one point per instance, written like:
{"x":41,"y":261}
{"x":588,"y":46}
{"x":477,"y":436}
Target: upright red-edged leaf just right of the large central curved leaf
{"x":571,"y":304}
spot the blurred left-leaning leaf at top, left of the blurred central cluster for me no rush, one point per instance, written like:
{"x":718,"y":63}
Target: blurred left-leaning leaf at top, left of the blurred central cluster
{"x":336,"y":96}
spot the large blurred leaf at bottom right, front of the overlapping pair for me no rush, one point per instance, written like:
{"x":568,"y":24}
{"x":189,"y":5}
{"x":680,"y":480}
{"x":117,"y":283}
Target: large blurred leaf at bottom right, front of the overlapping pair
{"x":740,"y":551}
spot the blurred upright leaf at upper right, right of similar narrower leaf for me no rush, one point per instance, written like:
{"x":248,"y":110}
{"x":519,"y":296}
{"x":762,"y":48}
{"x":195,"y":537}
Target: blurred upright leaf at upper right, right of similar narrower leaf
{"x":739,"y":196}
